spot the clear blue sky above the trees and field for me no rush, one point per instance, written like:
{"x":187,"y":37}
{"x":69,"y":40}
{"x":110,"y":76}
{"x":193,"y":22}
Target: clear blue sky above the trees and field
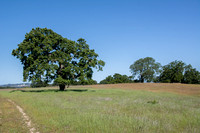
{"x":120,"y":31}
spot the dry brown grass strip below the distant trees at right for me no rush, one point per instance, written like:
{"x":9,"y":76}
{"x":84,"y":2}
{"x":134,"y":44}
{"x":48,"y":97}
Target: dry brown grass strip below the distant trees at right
{"x":186,"y":89}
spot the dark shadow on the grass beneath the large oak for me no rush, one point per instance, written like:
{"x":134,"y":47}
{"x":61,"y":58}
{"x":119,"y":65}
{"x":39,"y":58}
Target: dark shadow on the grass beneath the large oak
{"x":54,"y":90}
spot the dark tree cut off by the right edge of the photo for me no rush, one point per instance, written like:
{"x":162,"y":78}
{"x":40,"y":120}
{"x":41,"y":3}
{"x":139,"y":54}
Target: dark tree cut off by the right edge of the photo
{"x":191,"y":75}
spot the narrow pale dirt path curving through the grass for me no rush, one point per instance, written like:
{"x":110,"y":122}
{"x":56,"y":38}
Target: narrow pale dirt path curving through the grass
{"x":25,"y":118}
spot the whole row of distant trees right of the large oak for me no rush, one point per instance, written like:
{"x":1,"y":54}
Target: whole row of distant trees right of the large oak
{"x":148,"y":70}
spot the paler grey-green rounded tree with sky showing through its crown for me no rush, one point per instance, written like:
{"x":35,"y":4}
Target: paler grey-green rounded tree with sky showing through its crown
{"x":145,"y":68}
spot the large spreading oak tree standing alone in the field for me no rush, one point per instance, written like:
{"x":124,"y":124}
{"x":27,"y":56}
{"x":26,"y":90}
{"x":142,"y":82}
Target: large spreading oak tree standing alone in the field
{"x":47,"y":56}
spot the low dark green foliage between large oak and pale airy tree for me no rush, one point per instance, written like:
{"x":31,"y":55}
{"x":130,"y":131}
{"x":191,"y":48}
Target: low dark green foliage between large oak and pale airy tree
{"x":117,"y":78}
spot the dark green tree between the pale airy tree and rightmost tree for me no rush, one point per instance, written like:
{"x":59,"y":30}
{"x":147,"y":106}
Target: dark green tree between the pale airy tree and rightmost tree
{"x":173,"y":72}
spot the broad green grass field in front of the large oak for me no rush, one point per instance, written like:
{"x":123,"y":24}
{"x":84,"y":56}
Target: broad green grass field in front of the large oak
{"x":108,"y":110}
